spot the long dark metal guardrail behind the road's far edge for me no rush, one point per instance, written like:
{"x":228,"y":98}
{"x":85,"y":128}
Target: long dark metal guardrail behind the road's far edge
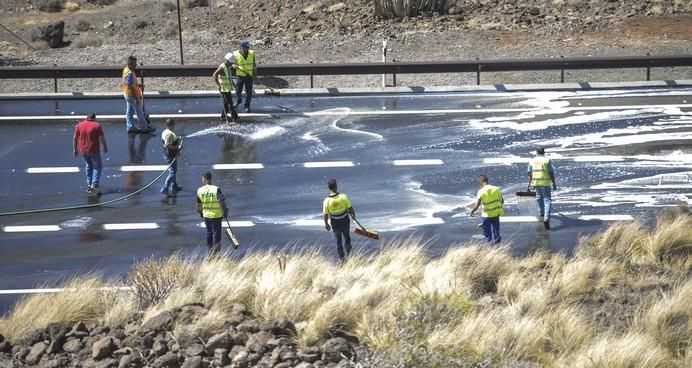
{"x":430,"y":67}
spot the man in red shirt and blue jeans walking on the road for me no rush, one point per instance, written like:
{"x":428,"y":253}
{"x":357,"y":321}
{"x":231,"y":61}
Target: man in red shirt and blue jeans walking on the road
{"x":88,"y":136}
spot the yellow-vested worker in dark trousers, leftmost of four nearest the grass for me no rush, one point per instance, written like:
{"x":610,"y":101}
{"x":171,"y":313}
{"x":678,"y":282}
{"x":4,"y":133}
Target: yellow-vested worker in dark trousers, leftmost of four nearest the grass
{"x":211,"y":206}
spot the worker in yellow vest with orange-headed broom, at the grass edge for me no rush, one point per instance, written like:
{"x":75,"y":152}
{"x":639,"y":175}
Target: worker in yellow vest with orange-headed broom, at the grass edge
{"x":336,"y":210}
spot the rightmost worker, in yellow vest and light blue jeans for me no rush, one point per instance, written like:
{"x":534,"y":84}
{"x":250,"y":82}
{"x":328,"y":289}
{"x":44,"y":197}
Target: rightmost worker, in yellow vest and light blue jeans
{"x":541,"y":176}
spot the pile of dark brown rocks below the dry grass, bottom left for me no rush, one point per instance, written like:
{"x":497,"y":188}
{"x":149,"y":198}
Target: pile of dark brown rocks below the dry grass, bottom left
{"x":172,"y":339}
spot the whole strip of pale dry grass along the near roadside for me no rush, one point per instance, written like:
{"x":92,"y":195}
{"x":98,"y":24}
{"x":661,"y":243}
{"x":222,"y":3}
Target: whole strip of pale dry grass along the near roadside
{"x":624,"y":299}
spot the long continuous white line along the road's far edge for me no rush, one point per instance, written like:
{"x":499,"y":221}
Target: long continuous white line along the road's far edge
{"x":363,"y":113}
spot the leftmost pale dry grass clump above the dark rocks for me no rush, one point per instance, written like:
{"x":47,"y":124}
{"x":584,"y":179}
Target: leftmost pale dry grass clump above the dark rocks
{"x":86,"y":298}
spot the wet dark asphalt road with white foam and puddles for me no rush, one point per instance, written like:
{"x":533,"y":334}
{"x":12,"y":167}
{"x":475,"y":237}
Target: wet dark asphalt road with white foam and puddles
{"x":408,"y":162}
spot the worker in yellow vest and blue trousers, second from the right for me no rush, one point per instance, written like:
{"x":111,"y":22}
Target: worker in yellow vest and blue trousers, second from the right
{"x":490,"y":197}
